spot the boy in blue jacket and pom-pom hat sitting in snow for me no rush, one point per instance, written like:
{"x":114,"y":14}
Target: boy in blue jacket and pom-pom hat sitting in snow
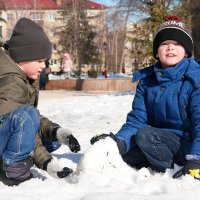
{"x":163,"y":126}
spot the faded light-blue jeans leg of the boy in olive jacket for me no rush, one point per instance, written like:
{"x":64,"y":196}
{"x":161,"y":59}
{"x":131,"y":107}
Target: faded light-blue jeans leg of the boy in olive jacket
{"x":17,"y":133}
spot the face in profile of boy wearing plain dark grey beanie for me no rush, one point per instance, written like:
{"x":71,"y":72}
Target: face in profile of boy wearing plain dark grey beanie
{"x":33,"y":69}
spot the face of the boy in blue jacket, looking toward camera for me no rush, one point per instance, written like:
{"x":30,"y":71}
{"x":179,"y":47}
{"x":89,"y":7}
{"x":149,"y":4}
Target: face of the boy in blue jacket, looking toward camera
{"x":170,"y":52}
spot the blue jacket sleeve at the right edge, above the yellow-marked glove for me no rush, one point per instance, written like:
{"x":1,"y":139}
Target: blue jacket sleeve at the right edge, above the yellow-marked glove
{"x":195,"y":118}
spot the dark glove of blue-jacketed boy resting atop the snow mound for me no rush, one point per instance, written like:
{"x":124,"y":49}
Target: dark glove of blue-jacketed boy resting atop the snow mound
{"x":120,"y":143}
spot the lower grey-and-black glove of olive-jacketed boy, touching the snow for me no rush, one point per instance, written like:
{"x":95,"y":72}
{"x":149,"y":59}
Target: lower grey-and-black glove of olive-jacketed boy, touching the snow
{"x":52,"y":168}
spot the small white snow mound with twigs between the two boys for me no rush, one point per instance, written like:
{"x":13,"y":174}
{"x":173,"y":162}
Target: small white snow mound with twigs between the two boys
{"x":103,"y":159}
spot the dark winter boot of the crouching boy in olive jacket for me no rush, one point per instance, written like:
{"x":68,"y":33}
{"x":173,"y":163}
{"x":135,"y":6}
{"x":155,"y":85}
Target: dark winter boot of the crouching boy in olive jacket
{"x":16,"y":173}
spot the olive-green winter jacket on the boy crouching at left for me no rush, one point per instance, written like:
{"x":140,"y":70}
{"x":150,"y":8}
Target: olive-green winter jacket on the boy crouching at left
{"x":17,"y":90}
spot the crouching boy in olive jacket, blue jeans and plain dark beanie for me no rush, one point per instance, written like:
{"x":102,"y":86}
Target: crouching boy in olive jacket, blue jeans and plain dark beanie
{"x":22,"y":129}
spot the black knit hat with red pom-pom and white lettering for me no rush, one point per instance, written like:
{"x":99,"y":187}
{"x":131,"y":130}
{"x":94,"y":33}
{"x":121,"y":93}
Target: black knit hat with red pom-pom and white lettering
{"x":173,"y":29}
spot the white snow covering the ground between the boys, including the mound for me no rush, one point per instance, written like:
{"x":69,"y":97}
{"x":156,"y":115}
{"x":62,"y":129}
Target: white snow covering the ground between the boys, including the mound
{"x":99,"y":171}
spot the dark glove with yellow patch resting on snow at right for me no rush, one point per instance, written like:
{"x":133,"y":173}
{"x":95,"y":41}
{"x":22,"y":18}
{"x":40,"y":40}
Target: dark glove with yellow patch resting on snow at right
{"x":191,"y":167}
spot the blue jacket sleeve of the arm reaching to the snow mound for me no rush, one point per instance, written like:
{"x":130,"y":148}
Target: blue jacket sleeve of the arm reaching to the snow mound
{"x":136,"y":118}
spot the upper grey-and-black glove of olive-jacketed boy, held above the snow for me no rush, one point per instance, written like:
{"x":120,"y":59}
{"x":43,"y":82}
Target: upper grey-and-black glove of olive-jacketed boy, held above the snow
{"x":65,"y":136}
